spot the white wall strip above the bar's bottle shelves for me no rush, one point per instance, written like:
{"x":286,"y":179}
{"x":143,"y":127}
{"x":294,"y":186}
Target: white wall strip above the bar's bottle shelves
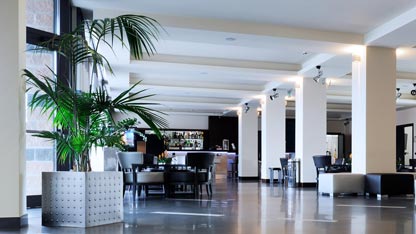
{"x":177,"y":121}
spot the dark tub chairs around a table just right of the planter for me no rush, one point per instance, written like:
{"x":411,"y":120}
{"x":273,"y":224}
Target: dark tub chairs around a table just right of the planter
{"x":171,"y":179}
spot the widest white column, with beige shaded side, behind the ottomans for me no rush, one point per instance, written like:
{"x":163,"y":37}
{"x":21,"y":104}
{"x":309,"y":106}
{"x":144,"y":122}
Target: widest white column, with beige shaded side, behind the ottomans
{"x":374,"y":111}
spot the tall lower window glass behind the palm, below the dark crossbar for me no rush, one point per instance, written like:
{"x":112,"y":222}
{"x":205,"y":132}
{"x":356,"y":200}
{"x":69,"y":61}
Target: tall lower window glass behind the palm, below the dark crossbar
{"x":39,"y":152}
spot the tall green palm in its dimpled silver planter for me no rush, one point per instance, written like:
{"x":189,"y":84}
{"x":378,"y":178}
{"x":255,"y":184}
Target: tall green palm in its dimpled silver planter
{"x":84,"y":119}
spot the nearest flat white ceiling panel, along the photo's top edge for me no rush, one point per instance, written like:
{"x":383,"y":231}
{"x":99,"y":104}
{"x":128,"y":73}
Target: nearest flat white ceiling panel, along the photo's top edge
{"x":345,"y":16}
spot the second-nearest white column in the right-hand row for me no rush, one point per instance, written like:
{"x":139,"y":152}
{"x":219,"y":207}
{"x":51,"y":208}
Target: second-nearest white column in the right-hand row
{"x":310,"y":126}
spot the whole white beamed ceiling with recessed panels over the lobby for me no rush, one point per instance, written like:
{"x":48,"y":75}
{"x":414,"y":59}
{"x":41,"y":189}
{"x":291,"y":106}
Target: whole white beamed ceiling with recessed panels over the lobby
{"x":217,"y":55}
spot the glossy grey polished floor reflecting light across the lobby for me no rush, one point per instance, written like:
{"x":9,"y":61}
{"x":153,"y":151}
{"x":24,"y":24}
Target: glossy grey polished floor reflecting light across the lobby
{"x":252,"y":207}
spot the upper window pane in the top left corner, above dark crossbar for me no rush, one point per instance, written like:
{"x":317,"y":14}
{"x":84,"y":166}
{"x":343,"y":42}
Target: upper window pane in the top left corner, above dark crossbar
{"x":40,"y":14}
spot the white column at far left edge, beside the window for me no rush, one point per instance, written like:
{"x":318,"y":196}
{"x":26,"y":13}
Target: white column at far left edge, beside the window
{"x":12,"y":105}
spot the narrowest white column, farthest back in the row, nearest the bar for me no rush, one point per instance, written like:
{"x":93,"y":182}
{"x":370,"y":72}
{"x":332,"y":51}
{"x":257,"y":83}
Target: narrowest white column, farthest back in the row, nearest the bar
{"x":247,"y":143}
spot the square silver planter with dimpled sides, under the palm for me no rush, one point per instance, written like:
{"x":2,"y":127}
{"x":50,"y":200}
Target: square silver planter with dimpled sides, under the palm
{"x":82,"y":199}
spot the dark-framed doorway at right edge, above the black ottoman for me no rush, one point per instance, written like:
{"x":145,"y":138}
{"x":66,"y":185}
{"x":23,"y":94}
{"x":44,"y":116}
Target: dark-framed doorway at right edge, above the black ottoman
{"x":404,"y":144}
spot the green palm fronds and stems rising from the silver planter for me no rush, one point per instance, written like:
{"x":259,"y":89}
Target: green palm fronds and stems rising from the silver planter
{"x":85,"y":119}
